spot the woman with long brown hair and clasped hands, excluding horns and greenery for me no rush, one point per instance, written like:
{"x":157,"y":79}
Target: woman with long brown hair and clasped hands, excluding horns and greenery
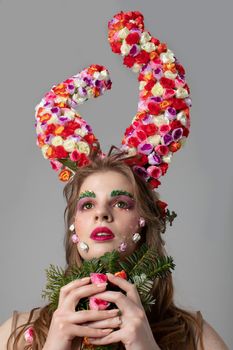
{"x":107,"y":193}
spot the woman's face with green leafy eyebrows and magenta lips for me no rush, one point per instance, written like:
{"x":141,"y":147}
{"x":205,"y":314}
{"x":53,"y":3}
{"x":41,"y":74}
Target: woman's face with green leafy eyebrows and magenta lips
{"x":106,"y":204}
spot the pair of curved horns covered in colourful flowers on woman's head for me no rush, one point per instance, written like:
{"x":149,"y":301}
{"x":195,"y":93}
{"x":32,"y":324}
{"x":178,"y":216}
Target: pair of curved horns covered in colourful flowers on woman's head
{"x":160,"y":126}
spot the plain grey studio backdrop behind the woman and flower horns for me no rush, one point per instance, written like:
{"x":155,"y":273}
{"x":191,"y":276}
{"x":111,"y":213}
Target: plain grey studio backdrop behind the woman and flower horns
{"x":45,"y":42}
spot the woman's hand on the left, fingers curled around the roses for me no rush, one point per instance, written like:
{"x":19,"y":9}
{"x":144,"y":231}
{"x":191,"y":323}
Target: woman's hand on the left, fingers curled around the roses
{"x":66,"y":323}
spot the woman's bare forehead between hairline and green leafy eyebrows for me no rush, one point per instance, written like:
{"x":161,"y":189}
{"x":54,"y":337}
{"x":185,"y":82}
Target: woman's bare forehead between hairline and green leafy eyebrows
{"x":107,"y":181}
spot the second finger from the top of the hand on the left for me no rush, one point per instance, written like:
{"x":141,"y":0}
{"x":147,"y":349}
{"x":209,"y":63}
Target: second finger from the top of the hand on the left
{"x":72,"y":299}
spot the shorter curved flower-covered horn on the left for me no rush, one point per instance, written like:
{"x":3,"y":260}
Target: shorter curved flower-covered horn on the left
{"x":63,"y":135}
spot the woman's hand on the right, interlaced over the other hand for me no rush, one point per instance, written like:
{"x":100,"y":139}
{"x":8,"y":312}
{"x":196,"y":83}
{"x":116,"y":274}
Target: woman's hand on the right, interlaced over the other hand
{"x":134,"y":330}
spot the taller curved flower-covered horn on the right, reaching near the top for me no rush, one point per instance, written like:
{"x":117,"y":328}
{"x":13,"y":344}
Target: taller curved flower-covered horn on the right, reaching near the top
{"x":161,"y":124}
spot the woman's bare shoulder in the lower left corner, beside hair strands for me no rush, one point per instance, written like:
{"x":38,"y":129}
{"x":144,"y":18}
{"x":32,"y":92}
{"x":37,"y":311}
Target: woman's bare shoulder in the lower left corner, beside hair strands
{"x":6,"y":328}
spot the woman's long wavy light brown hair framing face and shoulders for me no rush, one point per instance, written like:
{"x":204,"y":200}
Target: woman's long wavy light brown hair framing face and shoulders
{"x":172,"y":327}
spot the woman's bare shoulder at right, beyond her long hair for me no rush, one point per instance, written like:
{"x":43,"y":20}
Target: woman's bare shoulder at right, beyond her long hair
{"x":211,"y":339}
